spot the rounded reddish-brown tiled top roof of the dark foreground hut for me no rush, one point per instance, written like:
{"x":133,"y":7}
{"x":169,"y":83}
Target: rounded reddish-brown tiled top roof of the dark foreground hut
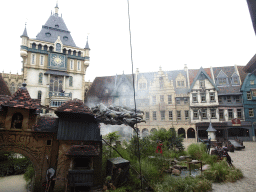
{"x":74,"y":106}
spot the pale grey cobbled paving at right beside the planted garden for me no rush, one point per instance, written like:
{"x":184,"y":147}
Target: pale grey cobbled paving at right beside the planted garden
{"x":245,"y":160}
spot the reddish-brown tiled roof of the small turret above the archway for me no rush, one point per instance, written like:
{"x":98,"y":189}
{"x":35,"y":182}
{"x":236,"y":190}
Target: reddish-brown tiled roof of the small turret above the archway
{"x":22,"y":99}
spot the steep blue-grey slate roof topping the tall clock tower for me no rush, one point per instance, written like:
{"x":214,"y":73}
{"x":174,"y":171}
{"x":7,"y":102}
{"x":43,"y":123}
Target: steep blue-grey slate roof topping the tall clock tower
{"x":56,"y":26}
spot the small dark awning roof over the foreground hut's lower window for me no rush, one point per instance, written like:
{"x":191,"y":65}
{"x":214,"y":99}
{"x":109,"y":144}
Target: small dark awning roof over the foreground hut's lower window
{"x":82,"y":150}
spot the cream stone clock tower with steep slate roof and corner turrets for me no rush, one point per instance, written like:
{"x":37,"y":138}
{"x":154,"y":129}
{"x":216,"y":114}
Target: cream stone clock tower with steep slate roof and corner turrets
{"x":53,"y":66}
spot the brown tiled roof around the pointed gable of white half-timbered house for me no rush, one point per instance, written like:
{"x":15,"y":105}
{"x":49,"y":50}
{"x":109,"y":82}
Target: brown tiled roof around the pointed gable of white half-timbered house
{"x":206,"y":72}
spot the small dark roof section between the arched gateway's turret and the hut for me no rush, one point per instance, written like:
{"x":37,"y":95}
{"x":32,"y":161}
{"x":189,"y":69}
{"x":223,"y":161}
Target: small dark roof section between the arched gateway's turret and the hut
{"x":46,"y":124}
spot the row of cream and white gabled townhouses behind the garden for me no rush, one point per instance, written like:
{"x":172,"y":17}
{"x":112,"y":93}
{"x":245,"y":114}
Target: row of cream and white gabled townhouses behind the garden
{"x":186,"y":100}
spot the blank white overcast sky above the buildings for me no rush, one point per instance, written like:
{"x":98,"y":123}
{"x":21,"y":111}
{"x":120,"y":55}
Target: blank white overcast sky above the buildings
{"x":166,"y":33}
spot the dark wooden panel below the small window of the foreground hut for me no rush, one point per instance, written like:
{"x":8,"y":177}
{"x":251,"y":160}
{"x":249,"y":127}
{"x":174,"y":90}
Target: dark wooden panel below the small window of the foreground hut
{"x":80,"y":177}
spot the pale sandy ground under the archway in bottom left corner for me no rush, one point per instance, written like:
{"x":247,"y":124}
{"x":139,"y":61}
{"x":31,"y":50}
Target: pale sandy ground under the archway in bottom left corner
{"x":14,"y":183}
